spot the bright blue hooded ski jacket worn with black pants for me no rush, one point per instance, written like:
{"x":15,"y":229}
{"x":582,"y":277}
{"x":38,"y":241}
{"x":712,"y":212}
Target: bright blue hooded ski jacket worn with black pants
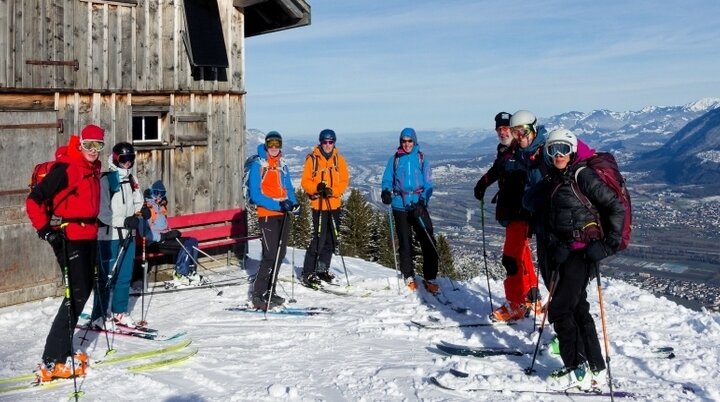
{"x":408,"y":177}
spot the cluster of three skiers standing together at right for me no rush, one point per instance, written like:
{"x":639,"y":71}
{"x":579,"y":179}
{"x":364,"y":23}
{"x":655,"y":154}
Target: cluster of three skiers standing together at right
{"x":539,"y":177}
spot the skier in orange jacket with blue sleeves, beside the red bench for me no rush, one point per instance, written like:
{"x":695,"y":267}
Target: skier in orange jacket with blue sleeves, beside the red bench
{"x":274,"y":195}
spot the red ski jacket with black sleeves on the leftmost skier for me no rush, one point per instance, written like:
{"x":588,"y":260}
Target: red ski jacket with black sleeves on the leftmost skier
{"x":70,"y":191}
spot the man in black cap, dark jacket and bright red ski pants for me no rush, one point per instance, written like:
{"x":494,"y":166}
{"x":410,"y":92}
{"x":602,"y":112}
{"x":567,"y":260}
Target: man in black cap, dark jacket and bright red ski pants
{"x":521,"y":287}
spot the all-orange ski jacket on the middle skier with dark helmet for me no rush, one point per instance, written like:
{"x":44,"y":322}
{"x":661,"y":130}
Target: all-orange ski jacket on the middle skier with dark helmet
{"x":331,"y":170}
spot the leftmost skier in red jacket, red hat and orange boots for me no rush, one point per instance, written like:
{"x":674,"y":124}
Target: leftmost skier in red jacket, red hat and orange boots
{"x":63,"y":208}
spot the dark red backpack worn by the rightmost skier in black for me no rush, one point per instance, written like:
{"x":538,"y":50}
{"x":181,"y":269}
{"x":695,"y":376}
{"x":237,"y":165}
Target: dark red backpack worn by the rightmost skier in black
{"x":605,"y":166}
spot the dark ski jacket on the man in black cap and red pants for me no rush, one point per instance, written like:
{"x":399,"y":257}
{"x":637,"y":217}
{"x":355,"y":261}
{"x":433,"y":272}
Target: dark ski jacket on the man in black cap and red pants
{"x":511,"y":186}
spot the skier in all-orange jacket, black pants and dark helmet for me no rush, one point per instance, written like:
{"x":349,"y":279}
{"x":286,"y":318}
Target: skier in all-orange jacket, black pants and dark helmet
{"x":325,"y":178}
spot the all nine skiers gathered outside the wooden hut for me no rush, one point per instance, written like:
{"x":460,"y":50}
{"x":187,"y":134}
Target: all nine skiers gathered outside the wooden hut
{"x":537,"y":173}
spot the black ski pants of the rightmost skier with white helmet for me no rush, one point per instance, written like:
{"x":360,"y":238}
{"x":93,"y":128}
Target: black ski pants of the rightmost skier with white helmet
{"x":569,"y":312}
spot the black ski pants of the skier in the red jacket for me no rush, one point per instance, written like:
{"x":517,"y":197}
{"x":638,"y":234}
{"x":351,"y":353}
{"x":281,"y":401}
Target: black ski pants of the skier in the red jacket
{"x":80,"y":258}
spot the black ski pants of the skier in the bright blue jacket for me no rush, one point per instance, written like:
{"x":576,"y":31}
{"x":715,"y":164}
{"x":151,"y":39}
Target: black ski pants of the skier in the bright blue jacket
{"x":404,"y":220}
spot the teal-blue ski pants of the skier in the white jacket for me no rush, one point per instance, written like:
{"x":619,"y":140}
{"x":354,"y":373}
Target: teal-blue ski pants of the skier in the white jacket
{"x":119,"y":281}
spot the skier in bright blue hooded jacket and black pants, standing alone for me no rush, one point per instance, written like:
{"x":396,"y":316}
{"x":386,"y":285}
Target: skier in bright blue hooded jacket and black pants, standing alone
{"x":407,"y":187}
